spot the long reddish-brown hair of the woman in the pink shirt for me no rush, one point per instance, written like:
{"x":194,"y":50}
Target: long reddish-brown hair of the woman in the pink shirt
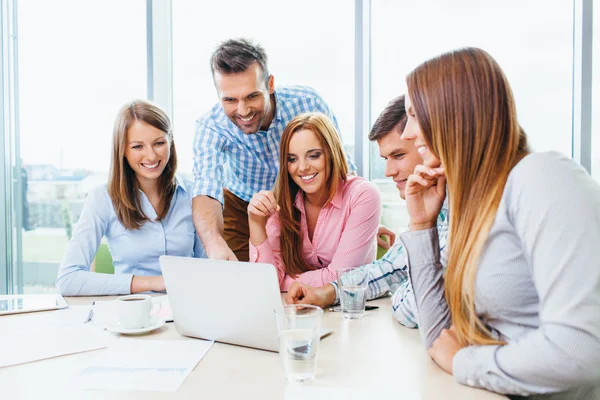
{"x":285,"y":191}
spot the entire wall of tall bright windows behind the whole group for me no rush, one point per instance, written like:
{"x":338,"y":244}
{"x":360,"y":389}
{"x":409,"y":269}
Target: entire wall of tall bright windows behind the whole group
{"x":78,"y":62}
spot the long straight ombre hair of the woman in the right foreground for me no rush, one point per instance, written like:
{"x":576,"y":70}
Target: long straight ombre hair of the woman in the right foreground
{"x":467,"y":113}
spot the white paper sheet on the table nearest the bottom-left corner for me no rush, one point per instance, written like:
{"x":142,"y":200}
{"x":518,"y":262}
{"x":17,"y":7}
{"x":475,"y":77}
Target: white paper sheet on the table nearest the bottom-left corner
{"x":22,"y":347}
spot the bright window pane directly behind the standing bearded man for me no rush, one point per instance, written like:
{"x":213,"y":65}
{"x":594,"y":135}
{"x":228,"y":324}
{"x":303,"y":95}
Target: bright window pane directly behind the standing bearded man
{"x":308,"y":43}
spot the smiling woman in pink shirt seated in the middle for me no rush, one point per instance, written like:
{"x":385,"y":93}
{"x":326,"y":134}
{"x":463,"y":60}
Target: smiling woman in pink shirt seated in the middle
{"x":318,"y":219}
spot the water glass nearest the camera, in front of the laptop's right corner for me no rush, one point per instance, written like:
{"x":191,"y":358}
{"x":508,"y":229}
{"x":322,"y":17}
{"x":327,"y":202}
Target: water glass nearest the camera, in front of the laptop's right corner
{"x":299,"y":329}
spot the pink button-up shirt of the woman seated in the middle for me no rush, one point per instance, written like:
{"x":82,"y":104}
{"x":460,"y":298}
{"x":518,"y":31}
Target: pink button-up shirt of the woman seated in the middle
{"x":344,"y":236}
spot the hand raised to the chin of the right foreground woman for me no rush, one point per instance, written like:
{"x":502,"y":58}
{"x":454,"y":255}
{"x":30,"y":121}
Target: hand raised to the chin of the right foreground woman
{"x":425,"y":193}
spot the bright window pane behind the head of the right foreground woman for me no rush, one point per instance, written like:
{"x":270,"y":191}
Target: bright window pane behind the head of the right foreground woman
{"x":532,"y":40}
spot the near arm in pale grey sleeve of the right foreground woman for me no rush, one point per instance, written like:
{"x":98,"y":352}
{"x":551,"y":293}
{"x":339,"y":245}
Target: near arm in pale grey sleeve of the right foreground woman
{"x":557,"y":219}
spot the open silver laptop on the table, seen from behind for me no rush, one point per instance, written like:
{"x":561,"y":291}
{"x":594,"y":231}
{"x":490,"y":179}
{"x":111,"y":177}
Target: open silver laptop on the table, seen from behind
{"x":226,"y":301}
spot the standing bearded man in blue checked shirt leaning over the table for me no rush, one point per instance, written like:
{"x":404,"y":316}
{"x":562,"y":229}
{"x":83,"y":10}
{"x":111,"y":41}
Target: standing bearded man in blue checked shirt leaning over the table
{"x":236,"y":148}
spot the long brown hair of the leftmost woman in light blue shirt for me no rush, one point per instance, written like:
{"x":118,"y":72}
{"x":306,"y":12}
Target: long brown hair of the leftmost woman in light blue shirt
{"x":123,"y":187}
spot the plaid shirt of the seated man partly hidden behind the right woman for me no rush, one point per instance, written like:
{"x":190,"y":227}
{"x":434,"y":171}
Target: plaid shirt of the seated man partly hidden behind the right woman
{"x":390,"y":274}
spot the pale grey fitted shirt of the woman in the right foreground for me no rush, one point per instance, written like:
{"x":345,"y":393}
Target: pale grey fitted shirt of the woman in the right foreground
{"x":537,"y":286}
